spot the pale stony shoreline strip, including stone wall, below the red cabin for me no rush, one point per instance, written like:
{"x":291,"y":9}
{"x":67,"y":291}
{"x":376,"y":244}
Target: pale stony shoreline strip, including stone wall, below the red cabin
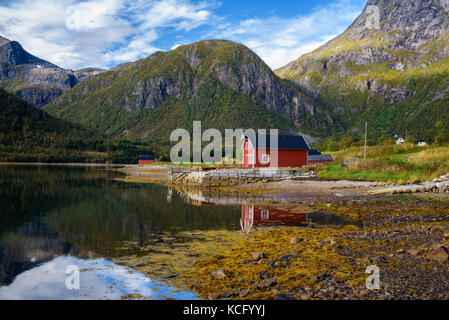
{"x":291,"y":186}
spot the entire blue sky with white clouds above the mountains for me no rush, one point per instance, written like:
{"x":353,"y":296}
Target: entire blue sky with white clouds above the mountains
{"x":75,"y":34}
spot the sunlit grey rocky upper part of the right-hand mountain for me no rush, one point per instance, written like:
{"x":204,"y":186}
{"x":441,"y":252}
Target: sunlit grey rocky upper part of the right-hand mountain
{"x":404,"y":33}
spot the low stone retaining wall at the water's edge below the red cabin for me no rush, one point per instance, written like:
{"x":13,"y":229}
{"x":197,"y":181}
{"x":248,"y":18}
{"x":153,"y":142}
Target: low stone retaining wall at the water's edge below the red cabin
{"x":233,"y":177}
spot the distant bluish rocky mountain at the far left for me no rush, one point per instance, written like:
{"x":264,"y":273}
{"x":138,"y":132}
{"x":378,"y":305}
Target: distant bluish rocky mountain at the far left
{"x":35,"y":80}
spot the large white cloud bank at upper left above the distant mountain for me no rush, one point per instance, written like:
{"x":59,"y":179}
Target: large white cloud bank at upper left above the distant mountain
{"x":75,"y":34}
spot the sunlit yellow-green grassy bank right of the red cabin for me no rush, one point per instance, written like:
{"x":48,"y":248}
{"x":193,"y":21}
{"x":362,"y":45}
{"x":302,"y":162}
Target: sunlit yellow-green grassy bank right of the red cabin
{"x":399,"y":164}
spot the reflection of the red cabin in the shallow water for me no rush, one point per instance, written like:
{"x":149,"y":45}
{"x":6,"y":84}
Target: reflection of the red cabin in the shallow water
{"x":260,"y":215}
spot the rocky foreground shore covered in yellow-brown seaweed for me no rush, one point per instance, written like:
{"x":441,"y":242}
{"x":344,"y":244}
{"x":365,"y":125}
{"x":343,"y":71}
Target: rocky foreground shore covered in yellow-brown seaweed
{"x":406,"y":238}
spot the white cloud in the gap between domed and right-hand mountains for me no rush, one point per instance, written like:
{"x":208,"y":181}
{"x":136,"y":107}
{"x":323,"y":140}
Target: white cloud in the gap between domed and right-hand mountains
{"x":279,"y":41}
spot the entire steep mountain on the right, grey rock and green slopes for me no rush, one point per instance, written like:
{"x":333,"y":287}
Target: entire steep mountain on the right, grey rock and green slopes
{"x":392,"y":71}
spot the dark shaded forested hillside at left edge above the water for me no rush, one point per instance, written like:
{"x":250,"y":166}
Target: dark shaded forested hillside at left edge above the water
{"x":29,"y":134}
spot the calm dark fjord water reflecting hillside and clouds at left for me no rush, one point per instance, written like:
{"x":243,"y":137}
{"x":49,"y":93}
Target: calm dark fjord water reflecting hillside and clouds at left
{"x":54,"y":217}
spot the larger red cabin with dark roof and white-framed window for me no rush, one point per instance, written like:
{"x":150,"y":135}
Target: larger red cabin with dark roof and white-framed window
{"x":291,"y":150}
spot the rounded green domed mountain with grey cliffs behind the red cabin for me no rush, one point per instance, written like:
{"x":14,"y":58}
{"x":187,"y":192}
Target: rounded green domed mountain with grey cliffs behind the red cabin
{"x":222,"y":83}
